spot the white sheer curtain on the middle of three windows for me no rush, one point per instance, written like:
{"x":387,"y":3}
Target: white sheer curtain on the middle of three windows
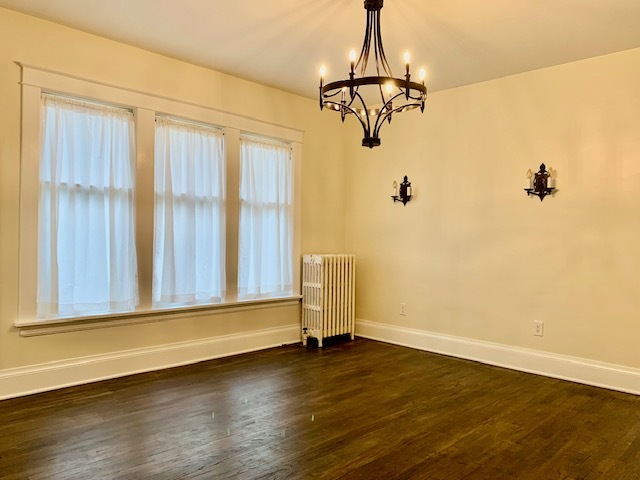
{"x":189,"y":238}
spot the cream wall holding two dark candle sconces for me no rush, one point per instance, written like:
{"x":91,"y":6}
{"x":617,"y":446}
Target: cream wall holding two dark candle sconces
{"x":471,"y":255}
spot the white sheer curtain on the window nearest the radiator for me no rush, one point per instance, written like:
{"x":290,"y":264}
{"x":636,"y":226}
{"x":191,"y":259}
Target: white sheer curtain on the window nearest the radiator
{"x":266,"y":219}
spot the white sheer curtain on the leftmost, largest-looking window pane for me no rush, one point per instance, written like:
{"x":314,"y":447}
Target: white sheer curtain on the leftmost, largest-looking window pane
{"x":86,"y":246}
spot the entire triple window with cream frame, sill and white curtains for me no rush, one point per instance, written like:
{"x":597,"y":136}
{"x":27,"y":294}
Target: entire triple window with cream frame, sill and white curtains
{"x":138,"y":216}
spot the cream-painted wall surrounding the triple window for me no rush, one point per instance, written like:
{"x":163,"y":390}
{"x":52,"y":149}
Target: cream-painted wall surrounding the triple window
{"x":47,"y":45}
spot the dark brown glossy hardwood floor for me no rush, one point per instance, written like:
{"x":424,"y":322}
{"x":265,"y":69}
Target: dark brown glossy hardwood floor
{"x":353,"y":410}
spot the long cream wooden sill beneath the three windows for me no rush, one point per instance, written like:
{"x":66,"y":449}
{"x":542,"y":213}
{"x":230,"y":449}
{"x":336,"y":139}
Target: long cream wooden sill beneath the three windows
{"x":75,"y":324}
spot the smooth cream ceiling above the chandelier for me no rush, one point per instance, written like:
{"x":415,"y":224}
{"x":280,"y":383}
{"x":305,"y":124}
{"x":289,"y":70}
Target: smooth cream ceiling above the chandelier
{"x":282,"y":43}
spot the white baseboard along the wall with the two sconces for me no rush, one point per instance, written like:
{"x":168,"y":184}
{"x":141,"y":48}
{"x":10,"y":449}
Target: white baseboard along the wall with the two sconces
{"x":580,"y":370}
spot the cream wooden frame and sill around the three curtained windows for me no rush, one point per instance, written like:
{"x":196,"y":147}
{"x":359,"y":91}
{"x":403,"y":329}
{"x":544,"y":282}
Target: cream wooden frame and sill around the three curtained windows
{"x":146,"y":107}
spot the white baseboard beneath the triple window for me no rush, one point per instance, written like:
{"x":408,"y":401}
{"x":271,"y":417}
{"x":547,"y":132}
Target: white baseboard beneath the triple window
{"x":21,"y":381}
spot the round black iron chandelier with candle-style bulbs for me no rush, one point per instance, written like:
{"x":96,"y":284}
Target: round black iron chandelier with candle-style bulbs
{"x":395,"y":94}
